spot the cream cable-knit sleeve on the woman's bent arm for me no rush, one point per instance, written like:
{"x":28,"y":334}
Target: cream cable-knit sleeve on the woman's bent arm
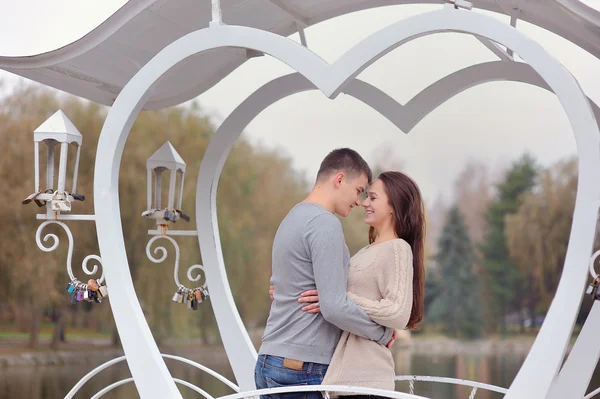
{"x":394,"y":269}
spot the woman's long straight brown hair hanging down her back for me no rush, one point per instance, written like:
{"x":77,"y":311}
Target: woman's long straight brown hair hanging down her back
{"x":405,"y":199}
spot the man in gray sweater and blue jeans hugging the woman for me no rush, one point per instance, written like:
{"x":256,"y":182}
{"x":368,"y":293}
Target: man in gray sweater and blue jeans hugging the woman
{"x":309,"y":252}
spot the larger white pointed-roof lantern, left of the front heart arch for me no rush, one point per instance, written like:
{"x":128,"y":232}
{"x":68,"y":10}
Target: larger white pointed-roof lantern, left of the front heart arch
{"x":56,"y":130}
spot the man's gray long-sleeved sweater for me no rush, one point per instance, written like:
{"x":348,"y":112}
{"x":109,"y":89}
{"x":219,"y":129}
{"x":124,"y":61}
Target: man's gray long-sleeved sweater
{"x":309,"y":251}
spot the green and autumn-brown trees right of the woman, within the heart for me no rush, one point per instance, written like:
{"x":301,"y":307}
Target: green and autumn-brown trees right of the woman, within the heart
{"x":498,"y":273}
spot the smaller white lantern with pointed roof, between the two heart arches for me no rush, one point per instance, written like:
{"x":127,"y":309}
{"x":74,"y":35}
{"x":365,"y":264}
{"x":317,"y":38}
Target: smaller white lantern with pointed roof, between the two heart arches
{"x":166,"y":158}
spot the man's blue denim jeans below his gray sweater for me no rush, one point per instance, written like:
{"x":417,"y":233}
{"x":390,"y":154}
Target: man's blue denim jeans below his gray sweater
{"x":270,"y":373}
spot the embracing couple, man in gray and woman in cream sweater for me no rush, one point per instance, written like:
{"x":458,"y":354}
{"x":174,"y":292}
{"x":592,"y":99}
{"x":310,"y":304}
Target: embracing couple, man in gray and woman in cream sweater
{"x":333,"y":317}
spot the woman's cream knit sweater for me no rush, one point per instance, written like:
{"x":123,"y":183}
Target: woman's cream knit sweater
{"x":380,"y":281}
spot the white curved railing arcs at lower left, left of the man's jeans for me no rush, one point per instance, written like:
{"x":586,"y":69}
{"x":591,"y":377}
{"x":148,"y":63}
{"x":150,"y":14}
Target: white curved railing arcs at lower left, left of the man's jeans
{"x":109,"y":363}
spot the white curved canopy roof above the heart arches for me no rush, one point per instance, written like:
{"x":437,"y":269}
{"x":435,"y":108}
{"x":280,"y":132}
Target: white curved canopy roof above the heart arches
{"x":97,"y":66}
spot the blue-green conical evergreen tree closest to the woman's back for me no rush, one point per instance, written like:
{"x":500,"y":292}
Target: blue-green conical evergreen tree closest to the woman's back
{"x":457,"y":301}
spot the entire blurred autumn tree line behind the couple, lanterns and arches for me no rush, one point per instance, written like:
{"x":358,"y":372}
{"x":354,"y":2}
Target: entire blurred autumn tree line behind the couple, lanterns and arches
{"x":494,"y":256}
